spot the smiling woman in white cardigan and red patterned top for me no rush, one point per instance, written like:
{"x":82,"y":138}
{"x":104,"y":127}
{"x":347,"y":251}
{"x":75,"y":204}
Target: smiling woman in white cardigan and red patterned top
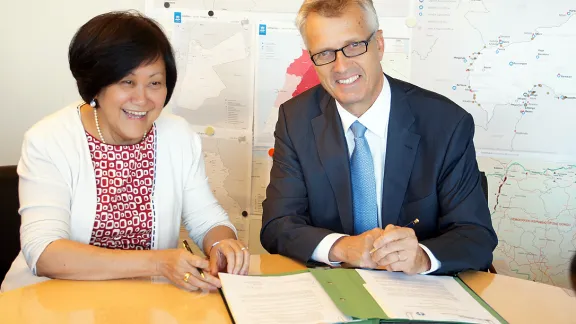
{"x":104,"y":185}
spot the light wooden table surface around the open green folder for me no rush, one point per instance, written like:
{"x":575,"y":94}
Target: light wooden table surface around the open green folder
{"x":154,"y":300}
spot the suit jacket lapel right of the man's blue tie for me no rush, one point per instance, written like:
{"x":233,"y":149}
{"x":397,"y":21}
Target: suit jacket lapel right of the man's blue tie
{"x":401,"y":148}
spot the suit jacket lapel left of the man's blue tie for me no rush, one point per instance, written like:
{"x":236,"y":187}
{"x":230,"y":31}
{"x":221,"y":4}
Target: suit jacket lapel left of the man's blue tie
{"x":333,"y":152}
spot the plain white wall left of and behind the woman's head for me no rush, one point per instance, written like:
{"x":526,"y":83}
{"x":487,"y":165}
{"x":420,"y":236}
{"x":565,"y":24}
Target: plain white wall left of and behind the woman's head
{"x":34,"y":76}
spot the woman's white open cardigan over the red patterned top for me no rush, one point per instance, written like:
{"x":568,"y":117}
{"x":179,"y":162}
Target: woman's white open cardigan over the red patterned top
{"x":57,"y":189}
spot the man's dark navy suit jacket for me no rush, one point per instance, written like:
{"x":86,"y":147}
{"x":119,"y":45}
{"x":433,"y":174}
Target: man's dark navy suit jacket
{"x":430,"y":173}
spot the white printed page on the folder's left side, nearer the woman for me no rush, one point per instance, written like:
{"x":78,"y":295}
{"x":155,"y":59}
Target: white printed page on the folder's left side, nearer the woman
{"x":279,"y":299}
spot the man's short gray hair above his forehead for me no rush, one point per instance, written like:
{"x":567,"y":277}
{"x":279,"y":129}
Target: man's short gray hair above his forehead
{"x":336,"y":8}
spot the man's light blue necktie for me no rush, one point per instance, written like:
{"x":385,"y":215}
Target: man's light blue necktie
{"x":364,"y":202}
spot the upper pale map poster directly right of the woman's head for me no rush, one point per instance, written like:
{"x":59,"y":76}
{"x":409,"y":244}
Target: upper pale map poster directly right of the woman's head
{"x":215,"y":65}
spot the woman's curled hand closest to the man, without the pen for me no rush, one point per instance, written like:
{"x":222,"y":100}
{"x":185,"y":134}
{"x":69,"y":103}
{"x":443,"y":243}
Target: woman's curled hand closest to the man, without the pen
{"x":231,"y":256}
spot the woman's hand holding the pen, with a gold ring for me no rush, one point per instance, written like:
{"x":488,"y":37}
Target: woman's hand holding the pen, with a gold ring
{"x":181,"y":267}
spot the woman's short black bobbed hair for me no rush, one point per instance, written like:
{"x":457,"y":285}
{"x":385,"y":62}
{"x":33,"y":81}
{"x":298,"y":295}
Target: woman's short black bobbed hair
{"x":111,"y":45}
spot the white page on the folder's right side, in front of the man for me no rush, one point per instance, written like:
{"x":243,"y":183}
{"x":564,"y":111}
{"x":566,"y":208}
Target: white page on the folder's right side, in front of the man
{"x":422,"y":297}
